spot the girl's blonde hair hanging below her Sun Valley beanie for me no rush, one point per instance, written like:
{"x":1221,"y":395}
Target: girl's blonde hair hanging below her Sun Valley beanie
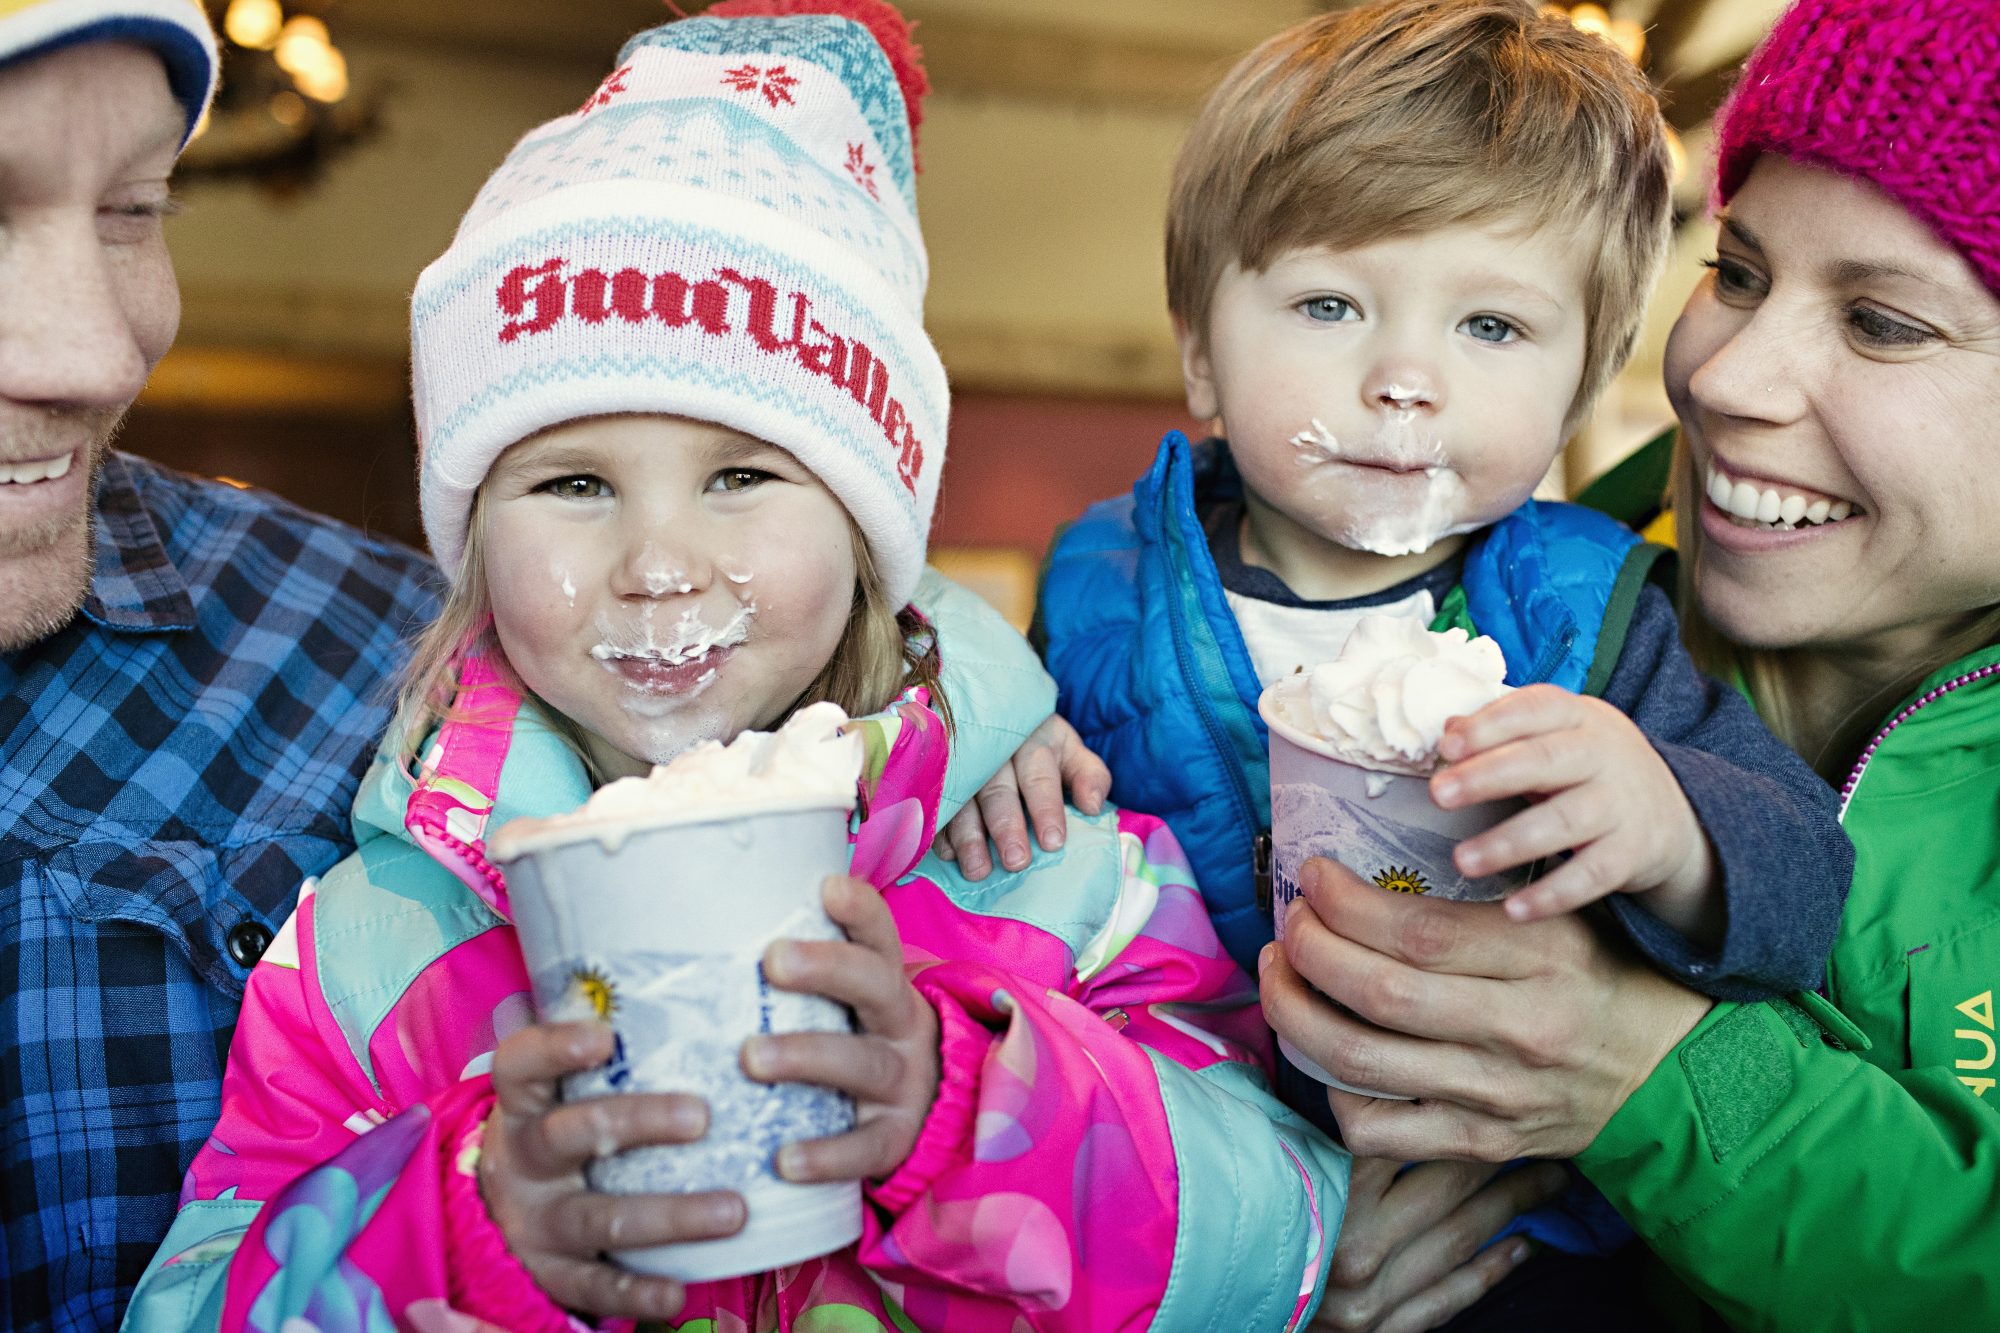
{"x":883,"y":651}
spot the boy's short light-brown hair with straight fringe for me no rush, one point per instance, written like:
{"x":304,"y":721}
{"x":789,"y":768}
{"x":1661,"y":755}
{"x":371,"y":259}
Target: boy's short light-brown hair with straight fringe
{"x":1417,"y":115}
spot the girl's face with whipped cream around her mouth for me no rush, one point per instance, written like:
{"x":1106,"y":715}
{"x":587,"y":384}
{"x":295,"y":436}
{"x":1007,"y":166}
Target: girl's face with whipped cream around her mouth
{"x":663,"y":581}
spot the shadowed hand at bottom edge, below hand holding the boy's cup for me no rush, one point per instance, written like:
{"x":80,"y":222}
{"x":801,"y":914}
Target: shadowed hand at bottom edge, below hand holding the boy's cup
{"x":1409,"y":1254}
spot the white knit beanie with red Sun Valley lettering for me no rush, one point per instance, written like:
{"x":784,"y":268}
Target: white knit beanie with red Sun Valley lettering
{"x":725,"y":231}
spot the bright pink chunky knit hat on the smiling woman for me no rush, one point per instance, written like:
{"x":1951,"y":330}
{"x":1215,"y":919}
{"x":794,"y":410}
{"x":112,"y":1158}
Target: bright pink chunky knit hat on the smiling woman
{"x":1899,"y":93}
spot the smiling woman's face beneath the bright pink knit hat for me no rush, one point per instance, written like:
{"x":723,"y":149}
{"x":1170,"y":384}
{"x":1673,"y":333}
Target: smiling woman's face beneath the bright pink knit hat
{"x":1839,"y":389}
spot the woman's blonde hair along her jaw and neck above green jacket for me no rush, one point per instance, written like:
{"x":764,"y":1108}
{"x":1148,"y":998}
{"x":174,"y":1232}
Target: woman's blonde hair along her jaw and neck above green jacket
{"x":1773,"y":676}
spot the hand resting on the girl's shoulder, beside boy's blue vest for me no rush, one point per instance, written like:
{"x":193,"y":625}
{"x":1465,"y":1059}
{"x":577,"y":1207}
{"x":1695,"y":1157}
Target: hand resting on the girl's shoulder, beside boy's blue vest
{"x":1049,"y":762}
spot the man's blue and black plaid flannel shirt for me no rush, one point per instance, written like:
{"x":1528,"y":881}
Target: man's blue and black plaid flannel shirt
{"x":173,"y":766}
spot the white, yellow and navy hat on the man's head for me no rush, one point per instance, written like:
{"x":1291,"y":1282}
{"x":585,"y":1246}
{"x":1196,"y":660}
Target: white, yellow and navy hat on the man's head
{"x":175,"y":29}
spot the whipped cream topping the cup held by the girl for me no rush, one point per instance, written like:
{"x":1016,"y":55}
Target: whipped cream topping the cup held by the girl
{"x":807,"y":762}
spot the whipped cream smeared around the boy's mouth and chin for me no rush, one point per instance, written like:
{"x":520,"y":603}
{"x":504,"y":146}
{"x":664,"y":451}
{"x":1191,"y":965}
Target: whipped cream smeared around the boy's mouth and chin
{"x":1427,"y":499}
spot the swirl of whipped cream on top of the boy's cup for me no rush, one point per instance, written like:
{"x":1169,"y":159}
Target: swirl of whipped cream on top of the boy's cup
{"x":1383,"y":704}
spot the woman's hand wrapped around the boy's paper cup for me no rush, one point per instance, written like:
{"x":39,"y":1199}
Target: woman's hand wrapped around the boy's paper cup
{"x":1519,"y":1040}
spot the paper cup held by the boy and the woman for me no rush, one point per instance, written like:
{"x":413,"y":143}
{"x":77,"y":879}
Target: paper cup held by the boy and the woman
{"x":1381,"y":826}
